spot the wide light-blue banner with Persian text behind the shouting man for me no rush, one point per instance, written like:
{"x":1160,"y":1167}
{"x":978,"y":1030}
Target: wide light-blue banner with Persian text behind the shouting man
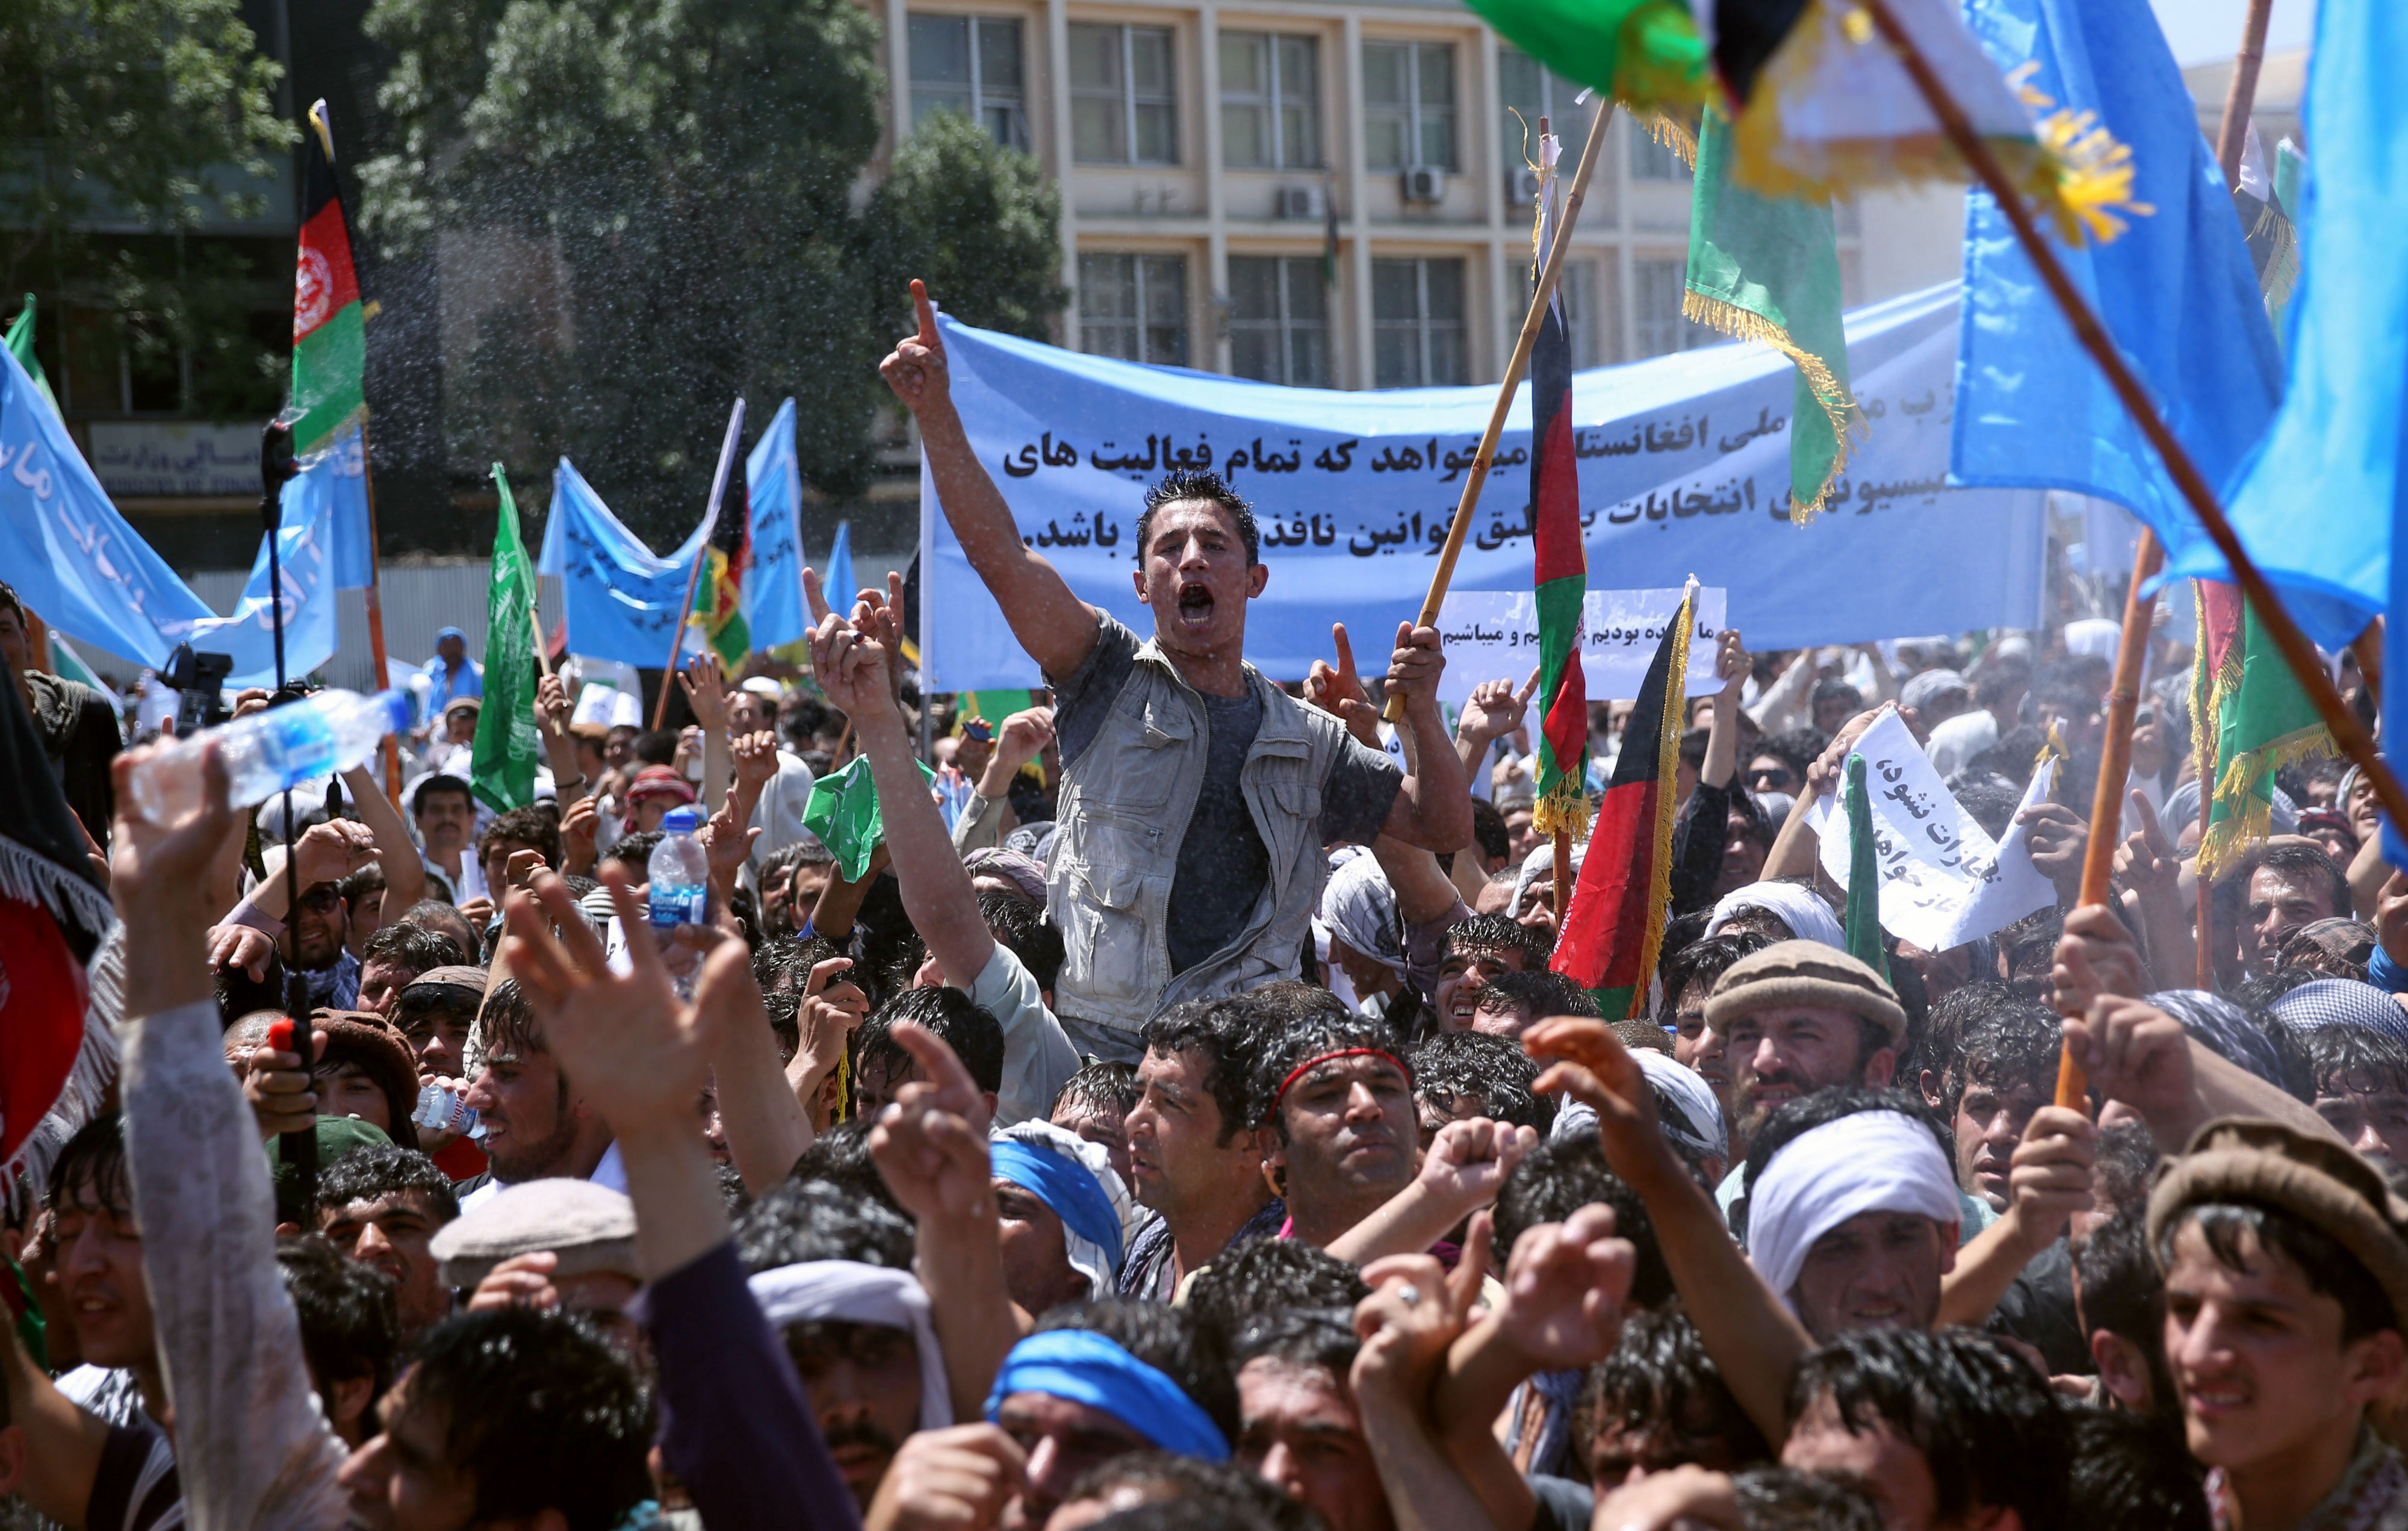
{"x":1684,"y":471}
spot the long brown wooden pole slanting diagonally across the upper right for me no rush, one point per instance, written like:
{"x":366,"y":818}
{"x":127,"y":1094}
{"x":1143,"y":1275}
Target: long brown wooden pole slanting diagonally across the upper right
{"x":2298,"y":654}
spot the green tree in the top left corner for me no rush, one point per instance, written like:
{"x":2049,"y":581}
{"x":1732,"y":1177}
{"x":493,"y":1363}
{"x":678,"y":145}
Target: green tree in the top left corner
{"x":146,"y":114}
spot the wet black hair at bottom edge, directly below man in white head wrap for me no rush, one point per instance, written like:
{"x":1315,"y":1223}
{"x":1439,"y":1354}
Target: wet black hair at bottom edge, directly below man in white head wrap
{"x":1983,"y":1419}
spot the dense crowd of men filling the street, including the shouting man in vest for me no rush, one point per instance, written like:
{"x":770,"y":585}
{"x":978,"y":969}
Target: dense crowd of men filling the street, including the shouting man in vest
{"x":1179,"y":1125}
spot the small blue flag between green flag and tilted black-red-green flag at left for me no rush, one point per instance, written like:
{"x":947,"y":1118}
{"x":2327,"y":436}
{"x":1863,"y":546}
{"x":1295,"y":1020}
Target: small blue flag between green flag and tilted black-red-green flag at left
{"x":622,"y":601}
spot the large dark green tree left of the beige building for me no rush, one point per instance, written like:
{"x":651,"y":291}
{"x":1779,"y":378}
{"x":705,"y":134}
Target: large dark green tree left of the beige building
{"x":675,"y":189}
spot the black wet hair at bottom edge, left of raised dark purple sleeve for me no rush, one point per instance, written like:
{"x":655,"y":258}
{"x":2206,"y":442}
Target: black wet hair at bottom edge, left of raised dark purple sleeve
{"x":538,"y":1414}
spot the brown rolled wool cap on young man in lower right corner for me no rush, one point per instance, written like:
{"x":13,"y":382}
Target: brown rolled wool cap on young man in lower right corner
{"x":2313,"y":1178}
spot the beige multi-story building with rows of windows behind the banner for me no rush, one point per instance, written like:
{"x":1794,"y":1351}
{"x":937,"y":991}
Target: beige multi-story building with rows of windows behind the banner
{"x":1333,"y":194}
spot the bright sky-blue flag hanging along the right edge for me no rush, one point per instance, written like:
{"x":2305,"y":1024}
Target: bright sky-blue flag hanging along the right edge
{"x":2325,"y":492}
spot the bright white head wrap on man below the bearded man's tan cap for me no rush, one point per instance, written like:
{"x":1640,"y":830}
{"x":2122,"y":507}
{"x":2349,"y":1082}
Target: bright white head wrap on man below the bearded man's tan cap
{"x":1867,"y":1161}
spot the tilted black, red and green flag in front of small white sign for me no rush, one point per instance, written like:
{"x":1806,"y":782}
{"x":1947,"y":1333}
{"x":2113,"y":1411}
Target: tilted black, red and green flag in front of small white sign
{"x":1615,"y":928}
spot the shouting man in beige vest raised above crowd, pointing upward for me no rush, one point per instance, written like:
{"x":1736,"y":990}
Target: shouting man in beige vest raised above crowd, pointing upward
{"x":1198,"y":798}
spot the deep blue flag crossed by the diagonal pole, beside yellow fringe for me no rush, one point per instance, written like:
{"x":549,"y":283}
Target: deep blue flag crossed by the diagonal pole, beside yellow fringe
{"x":2176,"y":290}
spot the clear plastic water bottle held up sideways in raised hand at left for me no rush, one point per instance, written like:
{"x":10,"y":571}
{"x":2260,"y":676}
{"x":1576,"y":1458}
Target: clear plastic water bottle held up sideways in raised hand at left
{"x":264,"y":755}
